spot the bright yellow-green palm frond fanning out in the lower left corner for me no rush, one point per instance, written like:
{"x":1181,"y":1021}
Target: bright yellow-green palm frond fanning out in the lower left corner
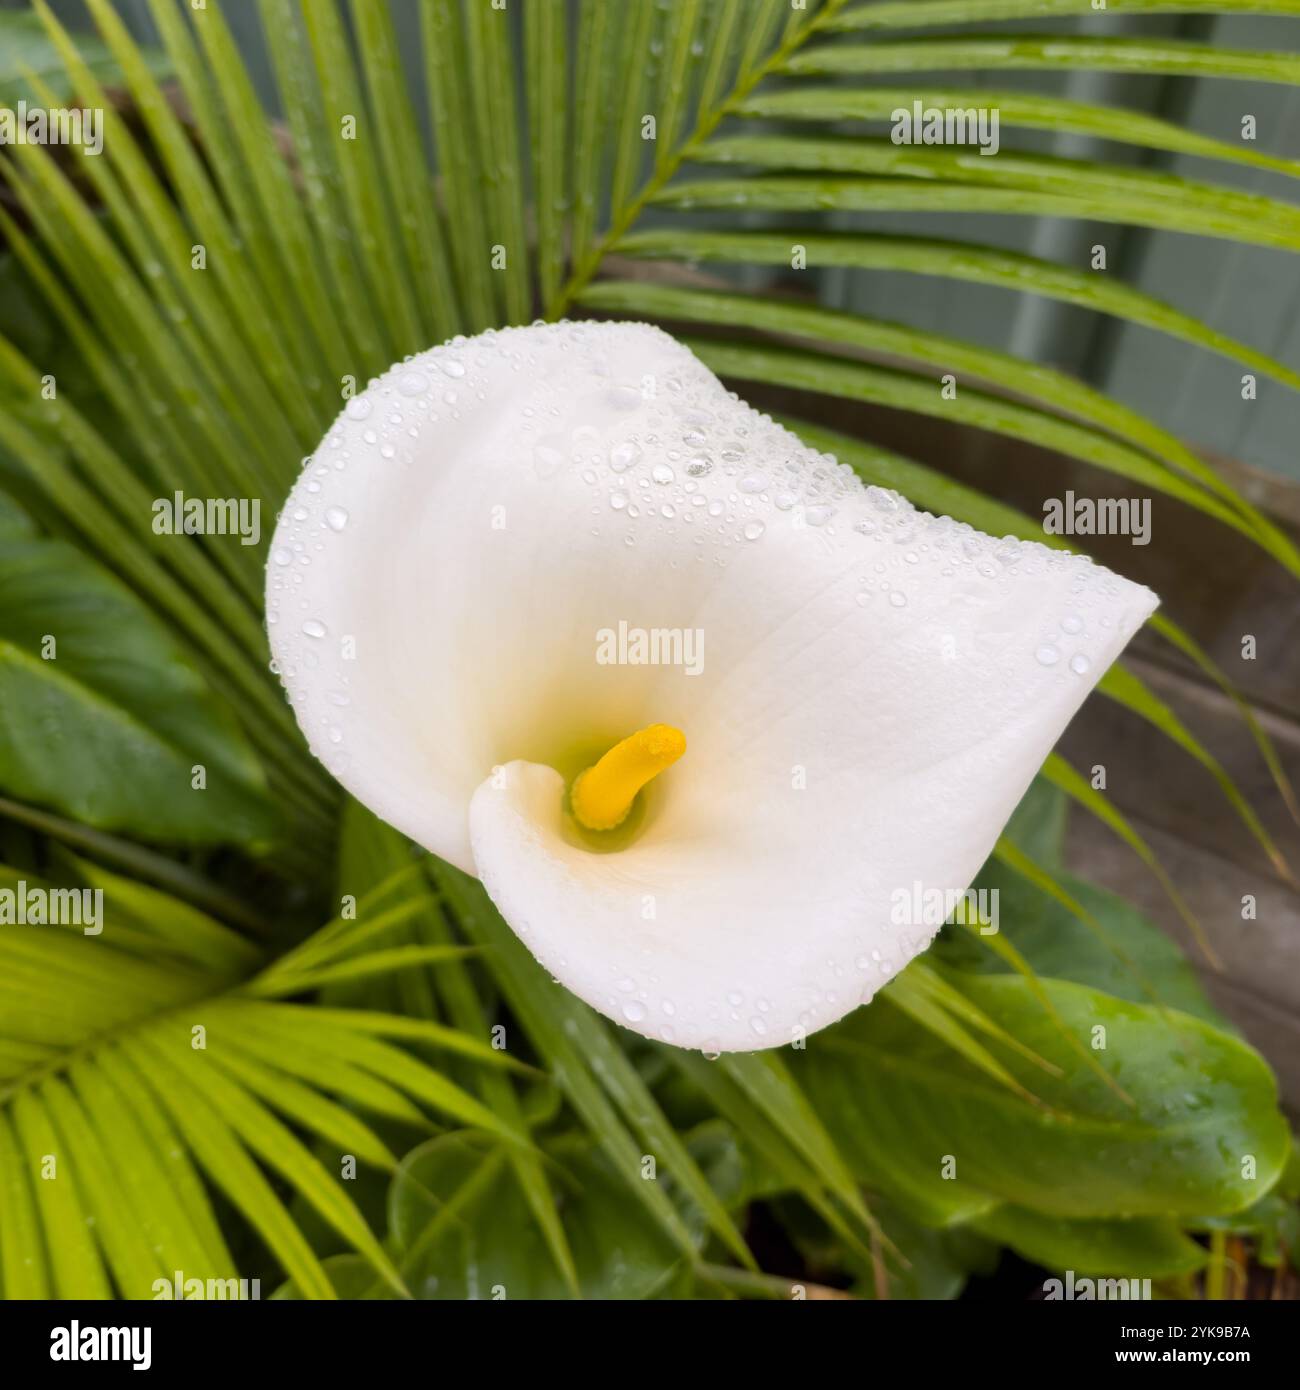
{"x":149,"y":1068}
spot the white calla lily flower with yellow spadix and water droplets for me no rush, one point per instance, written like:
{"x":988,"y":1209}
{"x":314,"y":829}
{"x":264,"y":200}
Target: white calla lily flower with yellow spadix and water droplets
{"x":706,"y":715}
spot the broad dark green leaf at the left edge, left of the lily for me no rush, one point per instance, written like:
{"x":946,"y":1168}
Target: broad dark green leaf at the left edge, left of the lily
{"x":111,"y":723}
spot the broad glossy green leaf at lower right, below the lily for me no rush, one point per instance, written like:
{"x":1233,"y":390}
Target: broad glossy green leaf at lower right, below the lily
{"x":904,"y":1106}
